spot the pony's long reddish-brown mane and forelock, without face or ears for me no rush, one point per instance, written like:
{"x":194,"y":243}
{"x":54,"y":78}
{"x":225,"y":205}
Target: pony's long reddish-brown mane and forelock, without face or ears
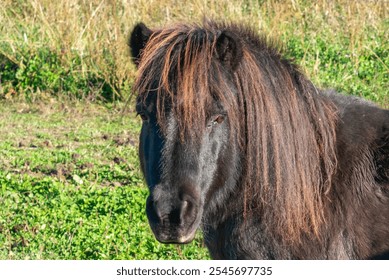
{"x":285,"y":128}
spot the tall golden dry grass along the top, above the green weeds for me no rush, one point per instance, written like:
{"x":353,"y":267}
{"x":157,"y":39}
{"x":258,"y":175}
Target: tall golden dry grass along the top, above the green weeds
{"x":97,"y":30}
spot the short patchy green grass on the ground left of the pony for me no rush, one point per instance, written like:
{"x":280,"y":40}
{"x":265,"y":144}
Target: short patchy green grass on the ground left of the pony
{"x":70,"y":186}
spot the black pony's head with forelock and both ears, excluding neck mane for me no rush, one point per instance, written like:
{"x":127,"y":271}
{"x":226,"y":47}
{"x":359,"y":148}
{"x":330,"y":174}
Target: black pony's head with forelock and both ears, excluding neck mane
{"x":186,"y":148}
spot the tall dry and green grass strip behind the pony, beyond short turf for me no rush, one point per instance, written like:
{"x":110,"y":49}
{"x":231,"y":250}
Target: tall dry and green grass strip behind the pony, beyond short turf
{"x":79,"y":48}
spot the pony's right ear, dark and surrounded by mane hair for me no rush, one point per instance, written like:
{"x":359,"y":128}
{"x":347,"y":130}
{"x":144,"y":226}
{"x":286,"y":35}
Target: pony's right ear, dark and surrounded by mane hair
{"x":229,"y":49}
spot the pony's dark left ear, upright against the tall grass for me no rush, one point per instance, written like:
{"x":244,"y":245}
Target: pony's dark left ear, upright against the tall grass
{"x":138,"y":39}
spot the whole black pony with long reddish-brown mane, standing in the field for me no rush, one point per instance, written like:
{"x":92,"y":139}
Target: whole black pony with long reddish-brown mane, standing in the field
{"x":237,"y":141}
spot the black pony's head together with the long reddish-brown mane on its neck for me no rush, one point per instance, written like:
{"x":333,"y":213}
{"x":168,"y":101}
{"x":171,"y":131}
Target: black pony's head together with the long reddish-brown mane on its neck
{"x":224,"y":115}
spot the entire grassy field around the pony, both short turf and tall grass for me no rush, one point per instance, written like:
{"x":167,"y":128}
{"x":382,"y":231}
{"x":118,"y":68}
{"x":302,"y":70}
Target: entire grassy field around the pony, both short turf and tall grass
{"x":70,"y":184}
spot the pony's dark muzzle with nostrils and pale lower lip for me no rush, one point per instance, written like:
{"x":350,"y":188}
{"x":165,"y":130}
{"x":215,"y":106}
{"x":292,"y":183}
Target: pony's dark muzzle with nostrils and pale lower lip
{"x":173,"y":220}
